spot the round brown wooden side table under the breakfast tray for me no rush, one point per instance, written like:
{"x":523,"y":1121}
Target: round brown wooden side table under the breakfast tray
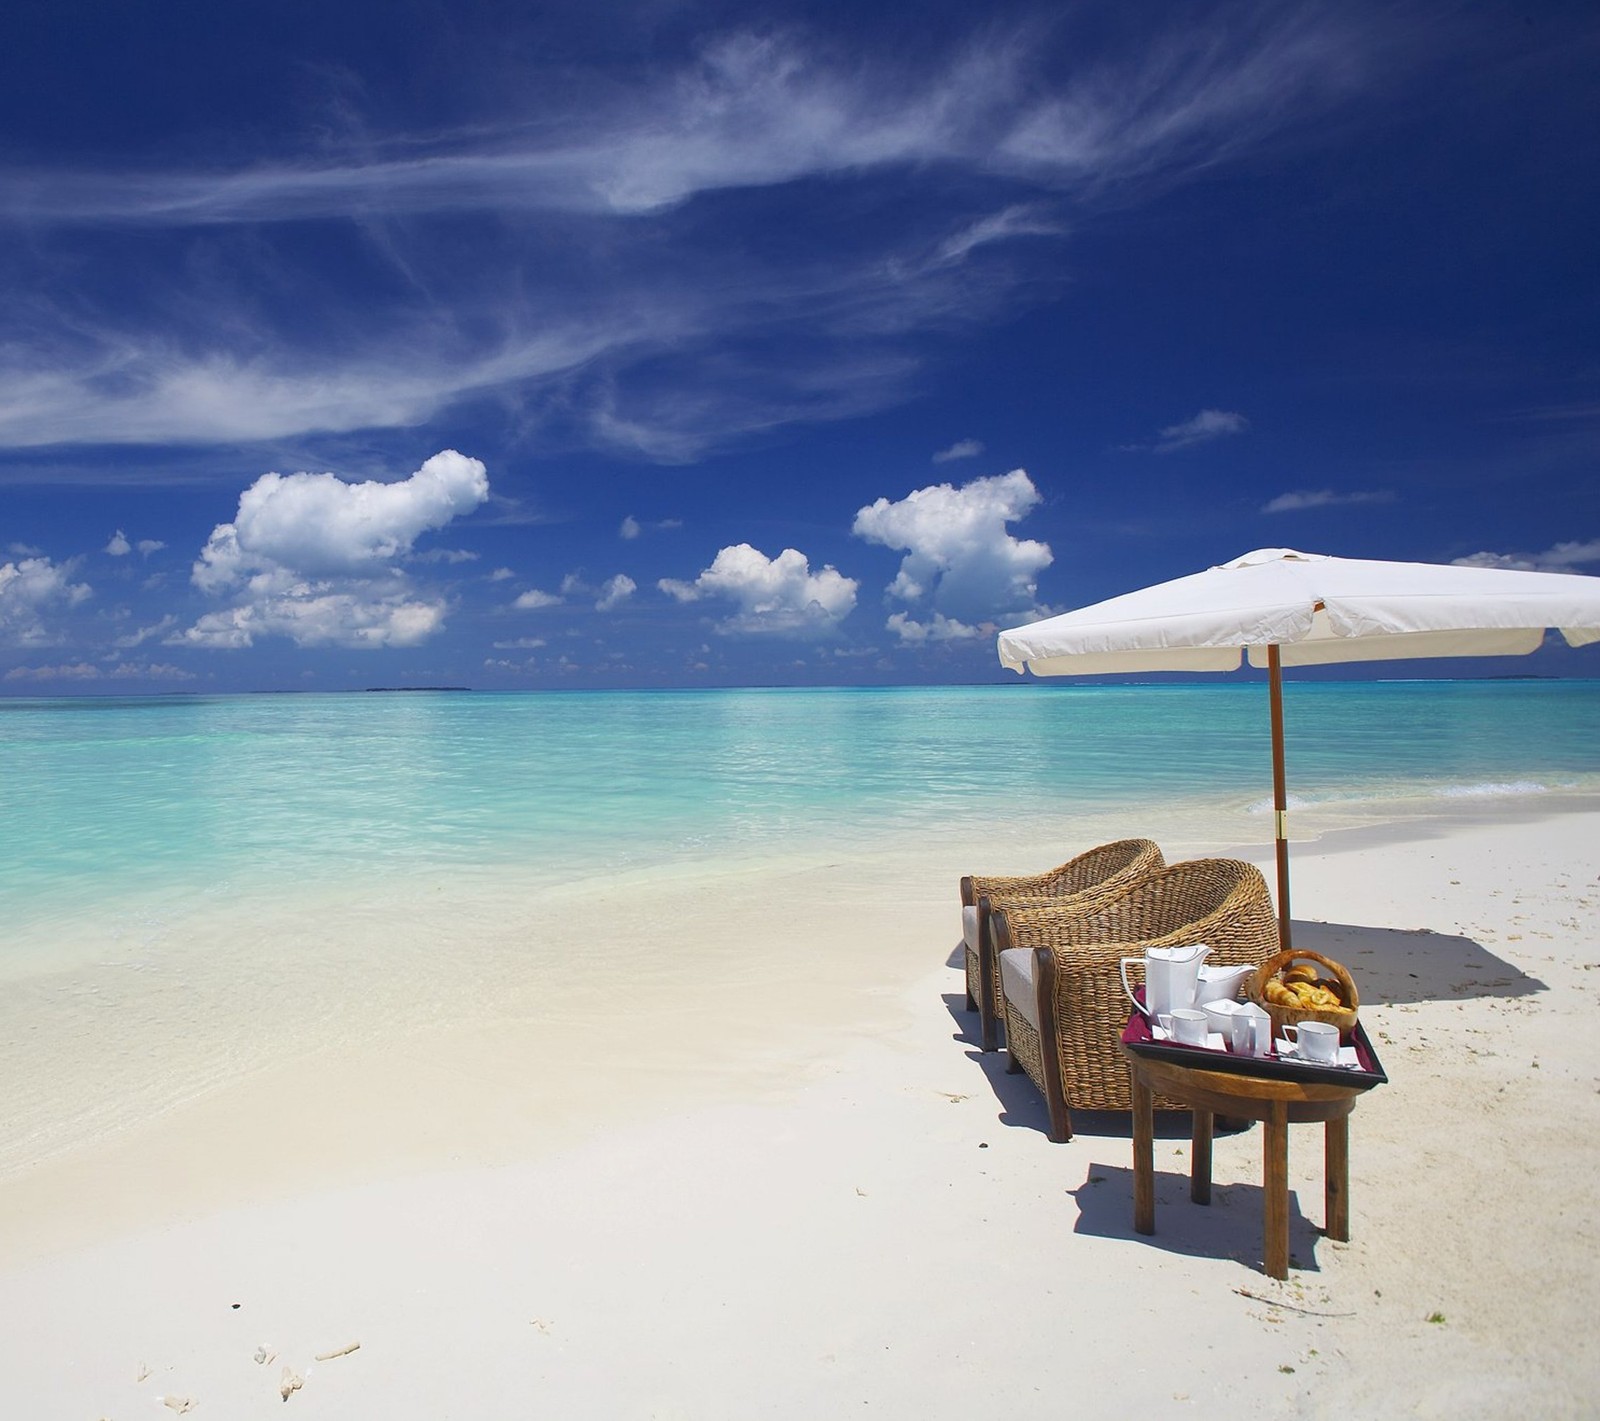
{"x":1278,"y":1102}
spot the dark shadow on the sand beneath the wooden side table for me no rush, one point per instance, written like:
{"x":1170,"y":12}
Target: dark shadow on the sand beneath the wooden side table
{"x":1231,"y":1227}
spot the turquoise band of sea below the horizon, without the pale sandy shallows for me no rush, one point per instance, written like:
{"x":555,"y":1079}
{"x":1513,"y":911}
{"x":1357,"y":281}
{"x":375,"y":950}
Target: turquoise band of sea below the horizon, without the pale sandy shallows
{"x":111,"y":799}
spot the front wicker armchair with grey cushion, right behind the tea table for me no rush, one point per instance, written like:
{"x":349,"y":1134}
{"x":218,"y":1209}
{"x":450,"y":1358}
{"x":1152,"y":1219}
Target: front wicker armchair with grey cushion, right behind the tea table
{"x":1062,"y":987}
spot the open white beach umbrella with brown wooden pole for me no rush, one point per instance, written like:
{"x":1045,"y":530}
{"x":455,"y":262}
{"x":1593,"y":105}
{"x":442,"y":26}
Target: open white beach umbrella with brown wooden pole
{"x":1303,"y":609}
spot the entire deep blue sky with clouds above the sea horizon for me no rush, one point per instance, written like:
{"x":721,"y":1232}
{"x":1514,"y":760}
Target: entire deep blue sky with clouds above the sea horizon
{"x":700,"y":345}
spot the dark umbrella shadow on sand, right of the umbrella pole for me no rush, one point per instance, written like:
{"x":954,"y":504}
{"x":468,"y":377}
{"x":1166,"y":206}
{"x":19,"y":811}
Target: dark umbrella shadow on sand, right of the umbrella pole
{"x":1398,"y":966}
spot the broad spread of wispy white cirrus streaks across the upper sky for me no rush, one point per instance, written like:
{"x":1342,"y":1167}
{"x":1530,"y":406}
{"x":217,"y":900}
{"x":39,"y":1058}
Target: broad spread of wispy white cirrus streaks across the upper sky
{"x":562,"y":262}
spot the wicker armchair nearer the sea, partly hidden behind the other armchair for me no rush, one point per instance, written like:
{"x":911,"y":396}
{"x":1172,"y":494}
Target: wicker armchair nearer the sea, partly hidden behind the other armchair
{"x":1082,"y":883}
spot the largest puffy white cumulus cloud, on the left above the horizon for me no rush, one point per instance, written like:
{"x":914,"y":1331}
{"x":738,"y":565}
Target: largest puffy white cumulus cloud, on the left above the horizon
{"x":319,"y":561}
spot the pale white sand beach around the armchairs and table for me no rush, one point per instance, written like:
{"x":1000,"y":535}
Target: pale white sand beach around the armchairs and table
{"x":809,"y":1195}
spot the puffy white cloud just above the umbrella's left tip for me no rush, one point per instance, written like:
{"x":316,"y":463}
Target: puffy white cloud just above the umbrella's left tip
{"x":959,"y":556}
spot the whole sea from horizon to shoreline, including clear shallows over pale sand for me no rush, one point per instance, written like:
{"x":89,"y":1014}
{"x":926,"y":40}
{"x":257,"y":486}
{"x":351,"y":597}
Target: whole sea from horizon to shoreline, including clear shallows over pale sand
{"x":209,"y":895}
